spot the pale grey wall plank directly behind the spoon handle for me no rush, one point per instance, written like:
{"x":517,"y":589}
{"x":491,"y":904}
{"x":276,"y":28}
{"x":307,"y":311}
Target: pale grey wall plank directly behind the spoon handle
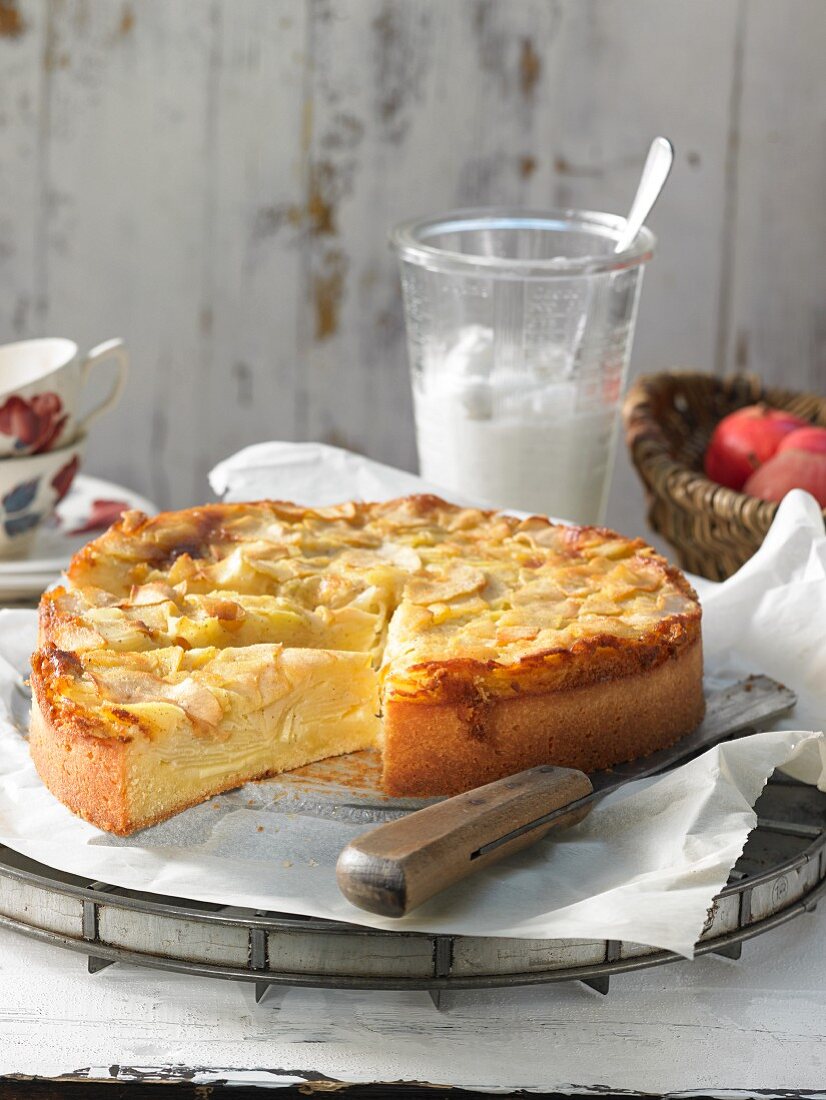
{"x":630,"y":72}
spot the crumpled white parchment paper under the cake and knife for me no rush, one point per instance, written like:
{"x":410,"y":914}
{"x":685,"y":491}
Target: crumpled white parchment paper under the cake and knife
{"x":644,"y":867}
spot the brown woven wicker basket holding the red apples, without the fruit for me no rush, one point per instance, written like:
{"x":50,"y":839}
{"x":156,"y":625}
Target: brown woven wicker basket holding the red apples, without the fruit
{"x":669,"y":420}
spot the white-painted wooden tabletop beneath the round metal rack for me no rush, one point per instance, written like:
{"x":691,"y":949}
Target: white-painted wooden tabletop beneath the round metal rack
{"x":706,"y":1028}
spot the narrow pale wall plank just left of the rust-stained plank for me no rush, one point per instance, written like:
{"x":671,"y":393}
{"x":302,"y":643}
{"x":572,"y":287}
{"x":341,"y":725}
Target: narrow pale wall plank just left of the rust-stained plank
{"x":255,"y":234}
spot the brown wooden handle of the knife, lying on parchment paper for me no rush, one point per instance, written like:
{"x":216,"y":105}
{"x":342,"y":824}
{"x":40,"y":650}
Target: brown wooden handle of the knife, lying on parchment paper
{"x":395,"y":867}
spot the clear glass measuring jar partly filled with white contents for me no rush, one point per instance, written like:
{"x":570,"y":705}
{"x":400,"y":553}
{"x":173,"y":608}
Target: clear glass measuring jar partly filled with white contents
{"x":520,"y":333}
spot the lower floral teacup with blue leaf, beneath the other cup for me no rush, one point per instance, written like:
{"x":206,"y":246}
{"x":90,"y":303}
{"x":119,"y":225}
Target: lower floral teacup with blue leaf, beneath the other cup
{"x":30,"y":490}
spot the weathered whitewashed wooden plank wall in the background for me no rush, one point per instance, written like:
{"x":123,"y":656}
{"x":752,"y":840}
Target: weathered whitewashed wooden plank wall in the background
{"x":214,"y":181}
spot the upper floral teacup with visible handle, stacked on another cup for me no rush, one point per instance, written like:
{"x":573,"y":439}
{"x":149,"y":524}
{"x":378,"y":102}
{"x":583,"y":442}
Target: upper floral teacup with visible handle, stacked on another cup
{"x":41,"y":382}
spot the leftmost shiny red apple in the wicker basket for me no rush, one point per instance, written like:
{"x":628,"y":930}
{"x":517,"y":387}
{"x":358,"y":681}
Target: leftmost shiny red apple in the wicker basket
{"x":744,"y":441}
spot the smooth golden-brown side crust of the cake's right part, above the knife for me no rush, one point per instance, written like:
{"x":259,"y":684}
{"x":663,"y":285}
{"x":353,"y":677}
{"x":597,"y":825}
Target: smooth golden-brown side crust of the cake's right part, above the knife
{"x":448,"y":749}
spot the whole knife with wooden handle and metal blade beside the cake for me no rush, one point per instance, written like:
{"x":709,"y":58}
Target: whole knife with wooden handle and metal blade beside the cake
{"x":394,"y":868}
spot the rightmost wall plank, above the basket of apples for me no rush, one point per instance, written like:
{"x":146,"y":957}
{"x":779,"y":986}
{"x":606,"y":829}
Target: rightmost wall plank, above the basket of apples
{"x":777,"y":321}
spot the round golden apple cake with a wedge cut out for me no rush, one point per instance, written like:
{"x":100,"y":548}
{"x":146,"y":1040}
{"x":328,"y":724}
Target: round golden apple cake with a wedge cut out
{"x":193,"y":652}
